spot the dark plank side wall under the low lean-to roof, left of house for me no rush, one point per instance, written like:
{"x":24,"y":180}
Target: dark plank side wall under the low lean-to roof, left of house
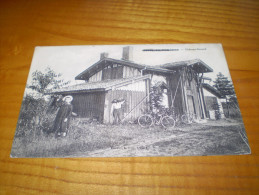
{"x":89,"y":105}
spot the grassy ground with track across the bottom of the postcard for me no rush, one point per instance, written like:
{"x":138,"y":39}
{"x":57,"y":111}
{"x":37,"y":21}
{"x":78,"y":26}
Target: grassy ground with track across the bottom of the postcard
{"x":212,"y":138}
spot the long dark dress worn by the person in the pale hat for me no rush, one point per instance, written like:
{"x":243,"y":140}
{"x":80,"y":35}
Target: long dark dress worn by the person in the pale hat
{"x":64,"y":112}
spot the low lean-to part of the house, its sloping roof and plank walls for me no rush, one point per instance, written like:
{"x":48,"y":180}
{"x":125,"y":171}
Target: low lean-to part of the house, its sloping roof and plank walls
{"x":94,"y":99}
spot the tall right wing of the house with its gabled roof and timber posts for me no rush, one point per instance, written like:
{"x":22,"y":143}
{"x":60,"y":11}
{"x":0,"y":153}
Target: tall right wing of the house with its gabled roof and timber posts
{"x":185,"y":86}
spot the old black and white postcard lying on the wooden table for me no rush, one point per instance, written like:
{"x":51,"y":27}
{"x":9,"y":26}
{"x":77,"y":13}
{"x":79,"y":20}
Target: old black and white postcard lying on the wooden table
{"x":129,"y":101}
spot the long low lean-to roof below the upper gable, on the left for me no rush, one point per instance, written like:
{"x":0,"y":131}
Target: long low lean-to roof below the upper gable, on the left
{"x":98,"y":86}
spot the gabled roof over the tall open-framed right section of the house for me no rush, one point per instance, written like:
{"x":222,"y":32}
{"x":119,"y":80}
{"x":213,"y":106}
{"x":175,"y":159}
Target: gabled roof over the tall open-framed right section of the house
{"x":197,"y":64}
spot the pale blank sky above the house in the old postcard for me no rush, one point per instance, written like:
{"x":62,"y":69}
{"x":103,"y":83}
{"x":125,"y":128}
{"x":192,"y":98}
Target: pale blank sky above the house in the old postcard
{"x":72,"y":60}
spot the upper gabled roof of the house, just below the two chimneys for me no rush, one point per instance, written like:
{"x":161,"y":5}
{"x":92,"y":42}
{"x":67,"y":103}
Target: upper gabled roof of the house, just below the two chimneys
{"x":98,"y":66}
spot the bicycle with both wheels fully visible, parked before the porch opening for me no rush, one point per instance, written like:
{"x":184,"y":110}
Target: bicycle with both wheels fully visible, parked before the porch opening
{"x":147,"y":120}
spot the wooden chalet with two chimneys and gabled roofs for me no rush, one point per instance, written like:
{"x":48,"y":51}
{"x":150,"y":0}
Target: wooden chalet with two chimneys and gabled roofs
{"x":110,"y":79}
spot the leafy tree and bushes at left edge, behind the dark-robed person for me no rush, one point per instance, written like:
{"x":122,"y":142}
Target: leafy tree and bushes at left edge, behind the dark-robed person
{"x":33,"y":115}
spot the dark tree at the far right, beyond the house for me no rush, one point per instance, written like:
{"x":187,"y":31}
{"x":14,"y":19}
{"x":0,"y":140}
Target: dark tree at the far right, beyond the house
{"x":225,"y":87}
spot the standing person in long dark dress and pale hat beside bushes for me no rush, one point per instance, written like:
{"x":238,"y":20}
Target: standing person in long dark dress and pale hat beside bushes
{"x":62,"y":119}
